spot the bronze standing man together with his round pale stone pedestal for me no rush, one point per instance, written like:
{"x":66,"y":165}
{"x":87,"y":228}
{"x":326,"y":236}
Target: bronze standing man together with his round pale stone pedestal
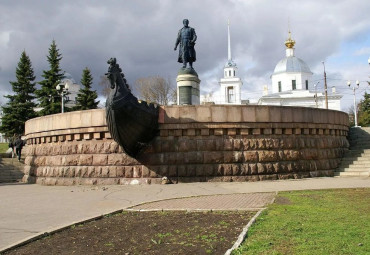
{"x":188,"y":92}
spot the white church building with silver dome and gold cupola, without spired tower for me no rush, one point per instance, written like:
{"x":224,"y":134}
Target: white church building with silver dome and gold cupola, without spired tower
{"x":291,"y":84}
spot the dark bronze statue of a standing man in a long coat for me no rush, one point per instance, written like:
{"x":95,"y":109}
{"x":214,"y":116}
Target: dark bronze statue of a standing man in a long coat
{"x":186,"y":38}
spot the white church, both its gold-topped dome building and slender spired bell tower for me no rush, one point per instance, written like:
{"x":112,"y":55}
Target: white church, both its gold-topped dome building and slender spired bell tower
{"x":291,"y":84}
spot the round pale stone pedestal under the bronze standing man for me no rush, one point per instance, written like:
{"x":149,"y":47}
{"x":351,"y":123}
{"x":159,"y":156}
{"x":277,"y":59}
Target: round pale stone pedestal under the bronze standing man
{"x":188,"y":92}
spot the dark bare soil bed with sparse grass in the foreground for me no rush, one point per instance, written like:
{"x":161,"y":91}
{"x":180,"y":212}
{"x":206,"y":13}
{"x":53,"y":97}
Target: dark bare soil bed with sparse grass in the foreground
{"x":169,"y":232}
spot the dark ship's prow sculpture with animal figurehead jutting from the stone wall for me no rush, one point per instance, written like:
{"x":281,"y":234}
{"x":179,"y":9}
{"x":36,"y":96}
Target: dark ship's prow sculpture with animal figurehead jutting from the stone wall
{"x":132,"y":123}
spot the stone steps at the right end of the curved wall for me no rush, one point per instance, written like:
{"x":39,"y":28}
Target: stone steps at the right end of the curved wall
{"x":356,"y":161}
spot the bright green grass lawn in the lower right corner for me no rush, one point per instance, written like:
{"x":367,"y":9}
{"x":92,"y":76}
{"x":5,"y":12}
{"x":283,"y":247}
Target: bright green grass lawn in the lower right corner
{"x":313,"y":222}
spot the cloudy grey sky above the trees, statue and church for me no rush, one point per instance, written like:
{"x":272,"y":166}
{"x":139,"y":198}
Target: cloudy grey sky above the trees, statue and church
{"x":141,"y":35}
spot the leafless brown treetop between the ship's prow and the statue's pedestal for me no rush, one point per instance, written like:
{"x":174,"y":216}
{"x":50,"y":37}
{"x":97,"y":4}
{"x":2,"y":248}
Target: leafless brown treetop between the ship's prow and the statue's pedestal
{"x":156,"y":89}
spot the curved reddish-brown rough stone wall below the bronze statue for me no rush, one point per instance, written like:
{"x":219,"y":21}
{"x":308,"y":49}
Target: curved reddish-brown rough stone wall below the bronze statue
{"x":195,"y":143}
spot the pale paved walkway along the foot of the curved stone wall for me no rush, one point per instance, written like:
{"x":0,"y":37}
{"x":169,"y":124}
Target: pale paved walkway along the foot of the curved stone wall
{"x":28,"y":210}
